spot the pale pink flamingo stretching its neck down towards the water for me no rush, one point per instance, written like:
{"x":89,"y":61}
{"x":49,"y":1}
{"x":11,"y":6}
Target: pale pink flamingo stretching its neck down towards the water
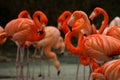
{"x":51,"y":38}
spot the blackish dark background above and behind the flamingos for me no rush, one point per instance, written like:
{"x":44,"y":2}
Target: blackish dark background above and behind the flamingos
{"x":9,"y":9}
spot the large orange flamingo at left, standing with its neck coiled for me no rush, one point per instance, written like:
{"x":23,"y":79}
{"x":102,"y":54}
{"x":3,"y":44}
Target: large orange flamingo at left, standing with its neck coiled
{"x":24,"y":29}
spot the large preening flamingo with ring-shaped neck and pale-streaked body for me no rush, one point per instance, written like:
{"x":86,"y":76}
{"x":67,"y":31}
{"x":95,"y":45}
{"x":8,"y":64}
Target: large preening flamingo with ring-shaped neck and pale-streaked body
{"x":100,"y":47}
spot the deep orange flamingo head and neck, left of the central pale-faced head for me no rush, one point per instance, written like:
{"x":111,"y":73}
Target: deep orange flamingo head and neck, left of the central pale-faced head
{"x":62,"y":21}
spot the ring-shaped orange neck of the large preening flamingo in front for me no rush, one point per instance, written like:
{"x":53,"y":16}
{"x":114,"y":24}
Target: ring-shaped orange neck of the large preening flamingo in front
{"x":74,"y":50}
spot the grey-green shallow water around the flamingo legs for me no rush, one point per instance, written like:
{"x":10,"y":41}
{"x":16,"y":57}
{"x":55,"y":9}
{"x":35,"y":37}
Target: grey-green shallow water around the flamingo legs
{"x":68,"y":70}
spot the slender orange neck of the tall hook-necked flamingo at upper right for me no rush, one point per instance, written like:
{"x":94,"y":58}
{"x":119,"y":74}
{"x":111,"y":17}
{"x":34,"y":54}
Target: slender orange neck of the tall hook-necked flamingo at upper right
{"x":105,"y":21}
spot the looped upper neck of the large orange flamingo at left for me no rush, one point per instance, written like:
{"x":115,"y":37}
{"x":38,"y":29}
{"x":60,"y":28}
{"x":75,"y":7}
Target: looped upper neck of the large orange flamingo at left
{"x":39,"y":19}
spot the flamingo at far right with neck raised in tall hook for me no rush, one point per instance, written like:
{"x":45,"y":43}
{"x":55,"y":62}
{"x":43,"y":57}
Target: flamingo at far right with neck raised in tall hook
{"x":113,"y":29}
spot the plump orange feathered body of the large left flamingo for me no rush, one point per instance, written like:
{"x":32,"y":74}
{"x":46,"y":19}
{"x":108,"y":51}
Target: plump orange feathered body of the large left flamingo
{"x":20,"y":28}
